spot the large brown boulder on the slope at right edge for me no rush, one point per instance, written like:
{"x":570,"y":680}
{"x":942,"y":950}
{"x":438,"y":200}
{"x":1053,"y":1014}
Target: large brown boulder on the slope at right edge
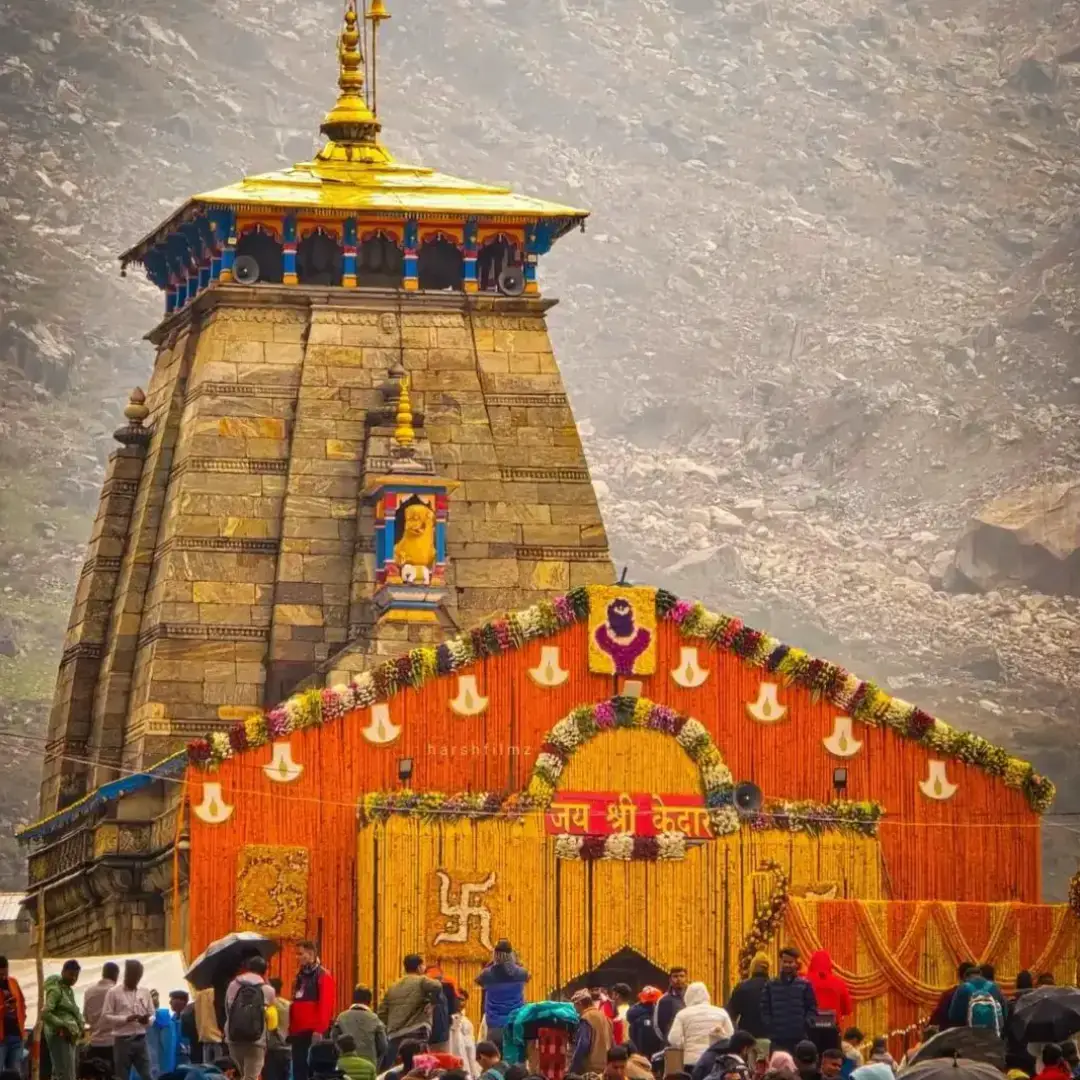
{"x":1030,"y":538}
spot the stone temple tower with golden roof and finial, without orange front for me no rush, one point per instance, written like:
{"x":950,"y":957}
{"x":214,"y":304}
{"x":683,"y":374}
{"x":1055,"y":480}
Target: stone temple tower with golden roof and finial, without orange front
{"x":355,"y":440}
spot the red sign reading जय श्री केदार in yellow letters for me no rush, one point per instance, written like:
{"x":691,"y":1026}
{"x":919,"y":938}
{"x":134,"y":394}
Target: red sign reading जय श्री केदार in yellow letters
{"x":605,"y":814}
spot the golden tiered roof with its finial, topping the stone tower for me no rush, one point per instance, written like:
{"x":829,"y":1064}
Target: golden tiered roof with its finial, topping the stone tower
{"x":356,"y":174}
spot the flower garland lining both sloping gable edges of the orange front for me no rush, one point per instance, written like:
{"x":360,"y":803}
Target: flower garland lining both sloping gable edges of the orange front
{"x":863,"y":701}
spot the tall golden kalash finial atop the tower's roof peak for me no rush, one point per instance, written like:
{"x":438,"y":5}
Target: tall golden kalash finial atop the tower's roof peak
{"x":352,"y":126}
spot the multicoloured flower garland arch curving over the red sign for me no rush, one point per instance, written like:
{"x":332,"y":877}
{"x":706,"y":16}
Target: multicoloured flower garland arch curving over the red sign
{"x":584,"y":724}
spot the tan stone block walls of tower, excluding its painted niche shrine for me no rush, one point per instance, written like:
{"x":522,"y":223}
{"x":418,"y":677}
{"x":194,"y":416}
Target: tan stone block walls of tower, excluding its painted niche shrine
{"x":233,"y":558}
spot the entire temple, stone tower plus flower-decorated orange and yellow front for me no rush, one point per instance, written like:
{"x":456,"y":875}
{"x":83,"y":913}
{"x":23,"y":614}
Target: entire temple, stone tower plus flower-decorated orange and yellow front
{"x":348,"y":659}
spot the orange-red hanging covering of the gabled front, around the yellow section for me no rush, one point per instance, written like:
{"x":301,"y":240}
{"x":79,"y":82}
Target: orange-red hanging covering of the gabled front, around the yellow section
{"x":981,"y":845}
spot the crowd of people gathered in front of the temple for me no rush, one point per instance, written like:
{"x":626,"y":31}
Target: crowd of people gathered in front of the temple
{"x":792,"y":1025}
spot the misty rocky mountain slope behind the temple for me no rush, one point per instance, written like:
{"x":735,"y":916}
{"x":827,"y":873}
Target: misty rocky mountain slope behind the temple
{"x":825,"y":314}
